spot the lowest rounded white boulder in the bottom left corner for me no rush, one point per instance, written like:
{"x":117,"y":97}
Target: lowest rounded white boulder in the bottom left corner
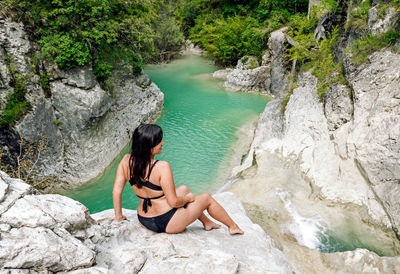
{"x":42,"y":248}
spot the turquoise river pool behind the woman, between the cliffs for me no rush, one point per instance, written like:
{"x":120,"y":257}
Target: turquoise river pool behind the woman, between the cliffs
{"x":199,"y":121}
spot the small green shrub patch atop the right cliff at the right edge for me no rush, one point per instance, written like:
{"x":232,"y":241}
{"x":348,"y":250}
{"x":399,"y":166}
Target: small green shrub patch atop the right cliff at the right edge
{"x":364,"y":47}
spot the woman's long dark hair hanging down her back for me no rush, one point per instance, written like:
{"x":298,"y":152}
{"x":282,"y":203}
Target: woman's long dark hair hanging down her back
{"x":144,"y":138}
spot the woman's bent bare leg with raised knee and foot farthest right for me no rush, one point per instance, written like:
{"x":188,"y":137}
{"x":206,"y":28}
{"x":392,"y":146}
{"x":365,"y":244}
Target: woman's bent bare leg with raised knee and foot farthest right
{"x":183,"y":217}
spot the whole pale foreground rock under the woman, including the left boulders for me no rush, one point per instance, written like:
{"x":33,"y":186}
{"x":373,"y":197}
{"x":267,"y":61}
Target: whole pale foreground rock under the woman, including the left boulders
{"x":52,"y":233}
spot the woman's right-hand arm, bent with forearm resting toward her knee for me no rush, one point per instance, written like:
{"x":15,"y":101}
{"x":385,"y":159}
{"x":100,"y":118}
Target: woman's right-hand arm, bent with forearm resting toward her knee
{"x":168,"y":186}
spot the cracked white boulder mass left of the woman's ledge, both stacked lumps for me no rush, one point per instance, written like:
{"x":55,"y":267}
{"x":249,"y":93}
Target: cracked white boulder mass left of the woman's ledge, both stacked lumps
{"x":36,"y":230}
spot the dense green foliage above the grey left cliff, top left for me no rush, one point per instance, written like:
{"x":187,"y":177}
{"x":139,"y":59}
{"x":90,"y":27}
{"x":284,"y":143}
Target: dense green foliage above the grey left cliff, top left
{"x":106,"y":34}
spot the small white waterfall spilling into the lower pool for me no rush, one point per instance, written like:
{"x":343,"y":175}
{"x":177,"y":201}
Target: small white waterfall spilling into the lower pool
{"x":307,"y":231}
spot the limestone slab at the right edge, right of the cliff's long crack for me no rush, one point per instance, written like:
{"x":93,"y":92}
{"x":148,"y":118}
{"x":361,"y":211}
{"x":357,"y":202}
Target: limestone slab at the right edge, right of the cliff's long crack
{"x":374,"y":137}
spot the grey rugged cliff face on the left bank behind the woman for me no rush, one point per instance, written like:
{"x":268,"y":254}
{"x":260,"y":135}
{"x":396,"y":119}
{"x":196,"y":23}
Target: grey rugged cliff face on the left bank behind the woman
{"x":84,"y":127}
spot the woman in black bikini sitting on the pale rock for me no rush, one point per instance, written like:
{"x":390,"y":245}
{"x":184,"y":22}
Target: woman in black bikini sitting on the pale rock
{"x":162,"y":208}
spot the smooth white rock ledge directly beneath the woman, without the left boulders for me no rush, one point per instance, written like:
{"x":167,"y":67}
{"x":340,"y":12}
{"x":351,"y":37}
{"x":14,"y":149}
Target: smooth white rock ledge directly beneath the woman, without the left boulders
{"x":181,"y":252}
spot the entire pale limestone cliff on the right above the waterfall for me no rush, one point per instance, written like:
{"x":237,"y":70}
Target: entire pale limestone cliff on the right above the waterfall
{"x":348,"y":144}
